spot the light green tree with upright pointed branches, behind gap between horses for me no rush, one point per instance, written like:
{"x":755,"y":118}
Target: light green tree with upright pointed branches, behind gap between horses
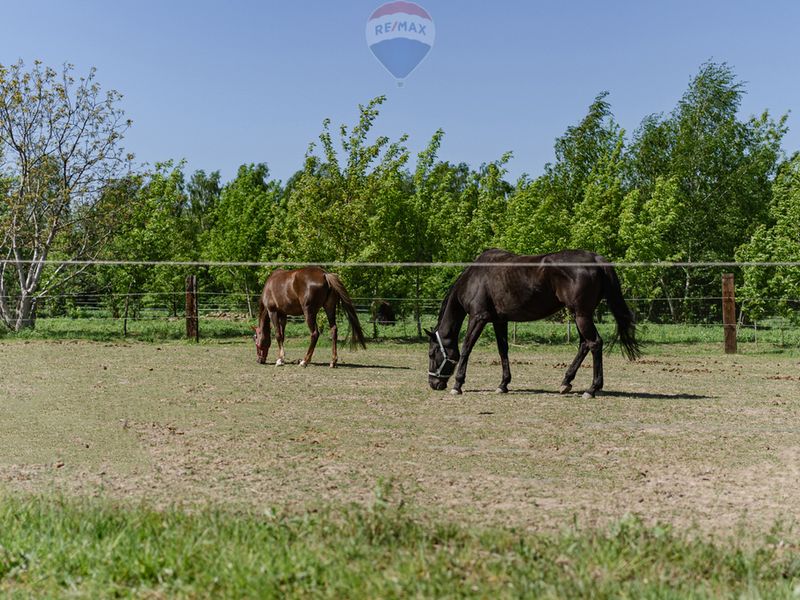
{"x":353,"y":207}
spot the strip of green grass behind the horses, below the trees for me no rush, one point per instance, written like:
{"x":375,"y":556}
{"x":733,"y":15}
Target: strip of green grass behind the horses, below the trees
{"x":769,"y":336}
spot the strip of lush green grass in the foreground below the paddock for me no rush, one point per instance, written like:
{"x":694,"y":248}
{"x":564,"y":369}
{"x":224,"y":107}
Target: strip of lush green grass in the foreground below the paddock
{"x":56,"y":547}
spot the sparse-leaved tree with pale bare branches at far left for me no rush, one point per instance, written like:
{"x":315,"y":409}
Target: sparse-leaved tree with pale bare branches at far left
{"x":60,"y":146}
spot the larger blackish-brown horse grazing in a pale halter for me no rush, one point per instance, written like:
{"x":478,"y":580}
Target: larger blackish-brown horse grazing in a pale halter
{"x":575,"y":279}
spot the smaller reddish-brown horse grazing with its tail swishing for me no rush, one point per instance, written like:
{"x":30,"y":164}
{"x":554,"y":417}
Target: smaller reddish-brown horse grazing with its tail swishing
{"x":303,"y":292}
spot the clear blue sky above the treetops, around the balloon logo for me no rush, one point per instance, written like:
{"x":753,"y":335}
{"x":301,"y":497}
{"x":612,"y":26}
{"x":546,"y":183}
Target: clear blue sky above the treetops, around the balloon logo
{"x":226,"y":83}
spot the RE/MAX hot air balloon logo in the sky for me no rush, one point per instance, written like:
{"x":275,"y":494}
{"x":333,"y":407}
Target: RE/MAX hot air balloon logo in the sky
{"x":400,"y":35}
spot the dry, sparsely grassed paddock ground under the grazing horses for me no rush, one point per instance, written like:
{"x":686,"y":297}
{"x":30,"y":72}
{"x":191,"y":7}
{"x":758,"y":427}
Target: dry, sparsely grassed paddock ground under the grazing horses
{"x":687,"y":435}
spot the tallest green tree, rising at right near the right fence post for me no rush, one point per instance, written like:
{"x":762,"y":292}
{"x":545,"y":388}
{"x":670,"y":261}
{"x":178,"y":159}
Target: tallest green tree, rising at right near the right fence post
{"x":720,"y":168}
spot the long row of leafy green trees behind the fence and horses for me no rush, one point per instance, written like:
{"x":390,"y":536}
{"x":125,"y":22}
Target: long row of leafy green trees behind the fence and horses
{"x":696,"y":184}
